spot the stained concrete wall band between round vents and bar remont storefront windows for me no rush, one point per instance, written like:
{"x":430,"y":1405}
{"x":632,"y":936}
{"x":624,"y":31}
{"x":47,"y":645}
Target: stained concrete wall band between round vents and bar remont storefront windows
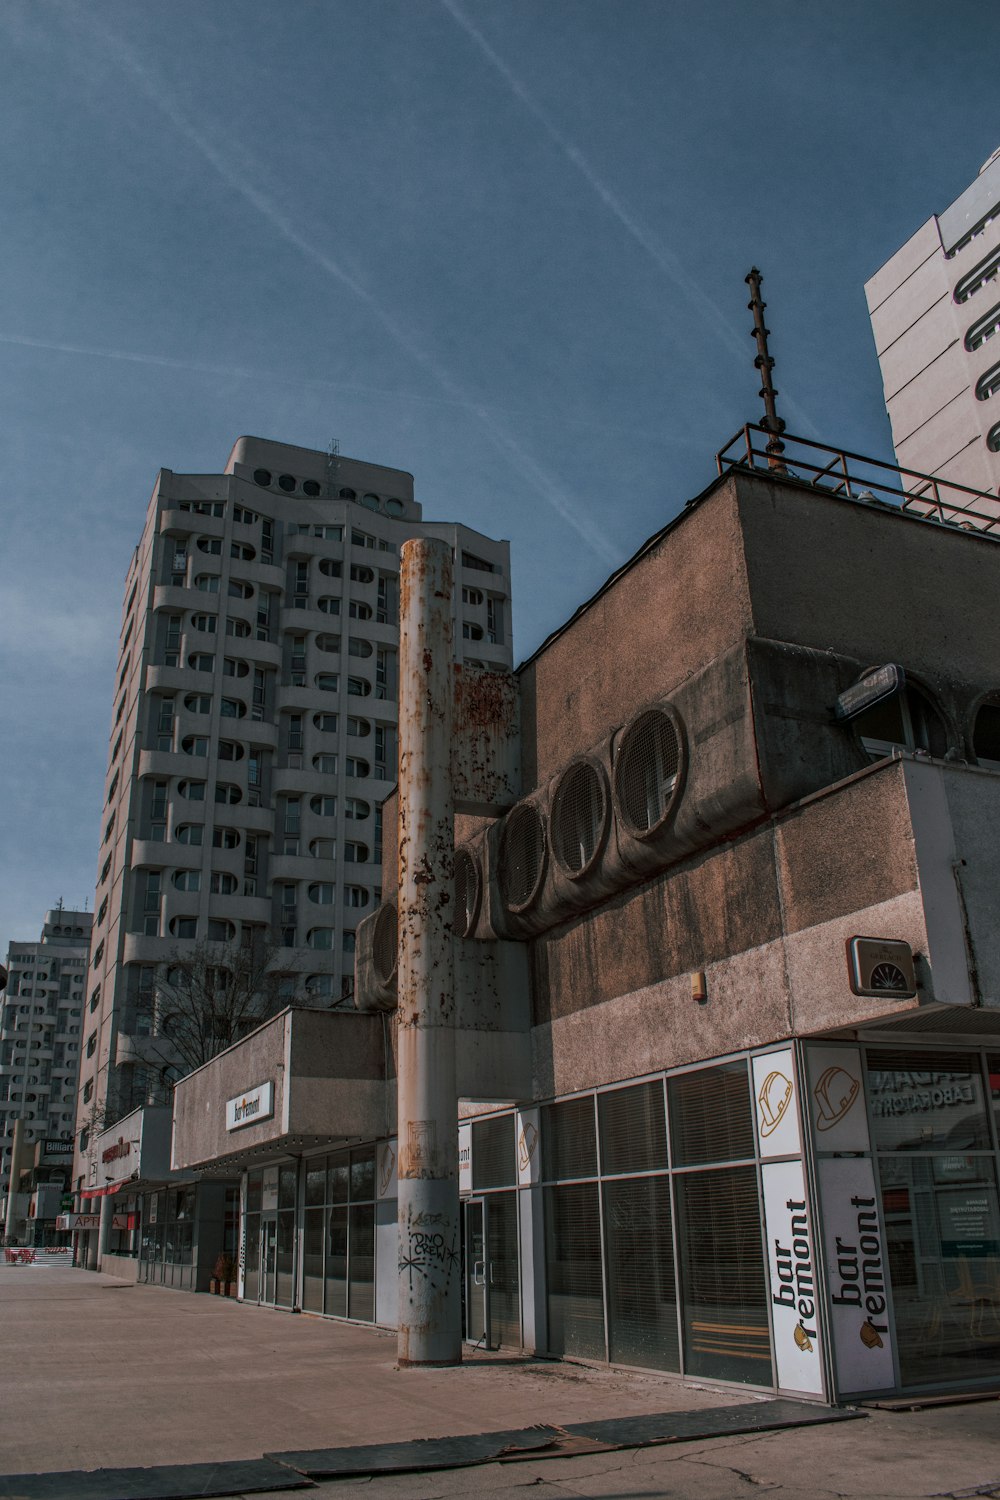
{"x":767,"y":919}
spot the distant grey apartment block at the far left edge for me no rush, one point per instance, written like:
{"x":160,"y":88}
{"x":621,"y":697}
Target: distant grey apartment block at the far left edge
{"x":41,"y":1046}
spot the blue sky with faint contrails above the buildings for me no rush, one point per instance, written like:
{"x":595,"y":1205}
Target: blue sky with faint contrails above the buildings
{"x":500,"y":244}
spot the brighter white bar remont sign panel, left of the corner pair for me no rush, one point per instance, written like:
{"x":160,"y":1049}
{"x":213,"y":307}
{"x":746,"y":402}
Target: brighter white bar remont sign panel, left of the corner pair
{"x":794,"y":1288}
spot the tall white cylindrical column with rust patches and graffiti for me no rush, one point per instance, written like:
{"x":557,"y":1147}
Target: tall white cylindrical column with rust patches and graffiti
{"x":430,"y":1244}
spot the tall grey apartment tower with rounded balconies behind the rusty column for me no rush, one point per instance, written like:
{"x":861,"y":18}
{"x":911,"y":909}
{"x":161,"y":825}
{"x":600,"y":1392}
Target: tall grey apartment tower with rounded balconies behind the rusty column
{"x":254,"y":739}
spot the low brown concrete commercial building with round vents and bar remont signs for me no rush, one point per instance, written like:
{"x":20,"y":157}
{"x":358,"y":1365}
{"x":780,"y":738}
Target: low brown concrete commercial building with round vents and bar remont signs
{"x":729,"y":971}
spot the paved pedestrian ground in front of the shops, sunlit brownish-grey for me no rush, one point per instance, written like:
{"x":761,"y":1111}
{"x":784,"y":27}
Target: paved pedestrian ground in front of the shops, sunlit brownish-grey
{"x":103,"y":1375}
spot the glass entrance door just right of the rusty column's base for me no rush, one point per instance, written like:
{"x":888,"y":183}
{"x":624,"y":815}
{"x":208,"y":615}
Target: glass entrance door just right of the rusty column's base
{"x":493,"y":1285}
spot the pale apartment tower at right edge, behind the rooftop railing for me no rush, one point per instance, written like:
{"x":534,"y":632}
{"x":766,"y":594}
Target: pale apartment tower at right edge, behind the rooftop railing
{"x":935,"y":313}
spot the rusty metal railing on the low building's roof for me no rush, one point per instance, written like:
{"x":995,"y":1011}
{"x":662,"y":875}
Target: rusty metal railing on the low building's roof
{"x":858,"y":478}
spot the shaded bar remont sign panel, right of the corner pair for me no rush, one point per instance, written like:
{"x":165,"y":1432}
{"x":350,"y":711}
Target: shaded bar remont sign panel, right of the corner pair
{"x":857,"y":1274}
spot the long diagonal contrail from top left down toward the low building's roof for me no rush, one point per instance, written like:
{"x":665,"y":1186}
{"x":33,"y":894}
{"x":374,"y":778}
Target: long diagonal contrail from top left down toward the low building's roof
{"x":241,"y":184}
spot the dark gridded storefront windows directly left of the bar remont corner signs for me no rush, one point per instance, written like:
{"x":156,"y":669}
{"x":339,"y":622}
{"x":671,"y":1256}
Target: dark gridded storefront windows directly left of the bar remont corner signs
{"x":654,"y":1255}
